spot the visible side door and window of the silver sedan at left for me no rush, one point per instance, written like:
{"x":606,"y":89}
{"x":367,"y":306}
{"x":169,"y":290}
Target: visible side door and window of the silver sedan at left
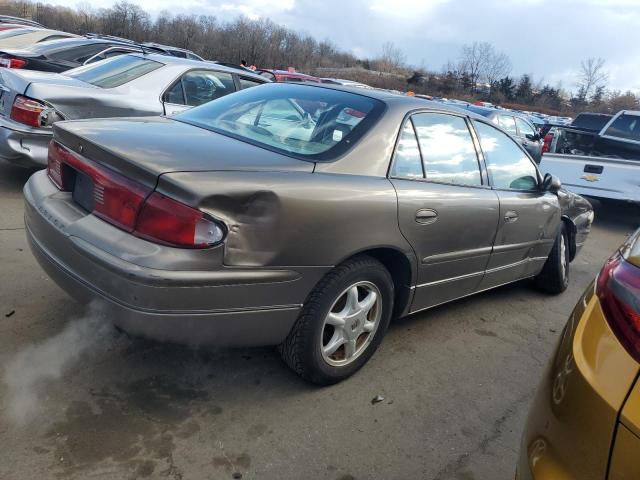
{"x":196,"y":87}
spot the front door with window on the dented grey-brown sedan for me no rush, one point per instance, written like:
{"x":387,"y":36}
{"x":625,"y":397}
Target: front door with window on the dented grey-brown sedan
{"x":529,"y":216}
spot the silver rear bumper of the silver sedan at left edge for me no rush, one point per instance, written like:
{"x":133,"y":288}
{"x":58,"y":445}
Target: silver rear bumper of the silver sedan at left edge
{"x":23,"y":147}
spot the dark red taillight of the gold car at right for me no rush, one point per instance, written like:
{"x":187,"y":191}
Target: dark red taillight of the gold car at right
{"x":618,"y":289}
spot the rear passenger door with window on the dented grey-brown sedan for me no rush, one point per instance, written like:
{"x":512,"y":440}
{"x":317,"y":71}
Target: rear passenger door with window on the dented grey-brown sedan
{"x":446,"y":209}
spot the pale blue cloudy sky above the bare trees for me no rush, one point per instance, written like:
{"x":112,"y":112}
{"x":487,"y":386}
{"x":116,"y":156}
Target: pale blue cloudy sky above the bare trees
{"x":545,"y":38}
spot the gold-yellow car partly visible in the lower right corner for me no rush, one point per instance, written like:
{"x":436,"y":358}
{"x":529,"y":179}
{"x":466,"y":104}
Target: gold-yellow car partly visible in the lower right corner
{"x":584,"y":423}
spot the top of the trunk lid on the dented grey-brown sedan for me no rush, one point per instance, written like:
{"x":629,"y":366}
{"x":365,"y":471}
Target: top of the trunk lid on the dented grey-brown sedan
{"x":145,"y":148}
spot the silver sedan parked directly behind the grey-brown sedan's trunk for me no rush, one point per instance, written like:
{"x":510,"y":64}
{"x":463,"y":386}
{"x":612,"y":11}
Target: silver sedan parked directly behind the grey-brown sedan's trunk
{"x":122,"y":86}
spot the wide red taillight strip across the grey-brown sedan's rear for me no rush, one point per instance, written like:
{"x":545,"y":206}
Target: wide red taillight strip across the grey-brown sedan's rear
{"x":132,"y":206}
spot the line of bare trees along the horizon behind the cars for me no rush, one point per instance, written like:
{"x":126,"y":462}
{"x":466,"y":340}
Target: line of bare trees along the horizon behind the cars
{"x":479,"y":72}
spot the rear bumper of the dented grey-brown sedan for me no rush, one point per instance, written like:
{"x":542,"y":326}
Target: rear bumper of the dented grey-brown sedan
{"x":167,"y":298}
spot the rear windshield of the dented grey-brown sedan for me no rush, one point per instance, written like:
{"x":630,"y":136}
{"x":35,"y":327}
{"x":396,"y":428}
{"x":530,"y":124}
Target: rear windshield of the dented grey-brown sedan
{"x":303,"y":121}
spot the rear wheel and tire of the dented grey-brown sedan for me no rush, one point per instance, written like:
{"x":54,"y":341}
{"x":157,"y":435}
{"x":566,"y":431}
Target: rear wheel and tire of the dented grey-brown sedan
{"x":306,"y":350}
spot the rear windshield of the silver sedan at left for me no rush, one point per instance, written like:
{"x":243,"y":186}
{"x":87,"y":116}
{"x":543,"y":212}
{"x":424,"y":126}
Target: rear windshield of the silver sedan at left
{"x":114,"y":71}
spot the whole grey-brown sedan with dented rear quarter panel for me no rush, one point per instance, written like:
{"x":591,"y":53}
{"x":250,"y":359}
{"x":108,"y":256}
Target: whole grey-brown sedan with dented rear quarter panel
{"x":295,"y":215}
